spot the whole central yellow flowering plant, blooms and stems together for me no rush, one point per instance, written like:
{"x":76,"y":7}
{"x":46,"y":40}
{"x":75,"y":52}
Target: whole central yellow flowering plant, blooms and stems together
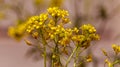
{"x":49,"y":30}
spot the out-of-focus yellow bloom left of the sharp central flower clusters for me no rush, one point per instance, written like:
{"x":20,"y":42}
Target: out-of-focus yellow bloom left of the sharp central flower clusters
{"x":17,"y":32}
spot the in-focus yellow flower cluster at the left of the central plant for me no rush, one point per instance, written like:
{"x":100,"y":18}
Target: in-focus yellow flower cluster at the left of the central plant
{"x":36,"y":22}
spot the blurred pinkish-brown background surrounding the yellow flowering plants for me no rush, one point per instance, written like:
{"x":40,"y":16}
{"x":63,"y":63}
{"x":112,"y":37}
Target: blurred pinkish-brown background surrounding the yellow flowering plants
{"x":103,"y":14}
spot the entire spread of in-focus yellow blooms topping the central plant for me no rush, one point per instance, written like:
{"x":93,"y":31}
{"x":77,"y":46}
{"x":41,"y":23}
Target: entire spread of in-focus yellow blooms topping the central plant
{"x":52,"y":24}
